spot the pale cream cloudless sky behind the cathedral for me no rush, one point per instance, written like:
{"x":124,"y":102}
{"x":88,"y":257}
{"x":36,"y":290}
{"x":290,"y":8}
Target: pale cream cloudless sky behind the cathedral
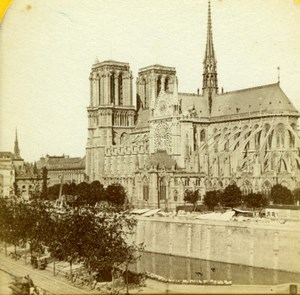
{"x":47,"y":49}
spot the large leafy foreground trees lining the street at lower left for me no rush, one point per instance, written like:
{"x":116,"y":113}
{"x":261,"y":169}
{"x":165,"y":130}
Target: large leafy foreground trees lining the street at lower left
{"x":97,"y":239}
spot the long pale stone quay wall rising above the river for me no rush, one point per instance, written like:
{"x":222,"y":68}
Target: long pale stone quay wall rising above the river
{"x":266,"y":245}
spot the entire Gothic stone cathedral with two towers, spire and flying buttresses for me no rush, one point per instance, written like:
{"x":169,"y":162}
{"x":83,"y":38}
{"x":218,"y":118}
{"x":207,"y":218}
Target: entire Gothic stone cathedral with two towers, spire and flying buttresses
{"x":166,"y":141}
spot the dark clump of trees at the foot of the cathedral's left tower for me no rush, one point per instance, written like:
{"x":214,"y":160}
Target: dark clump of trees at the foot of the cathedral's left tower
{"x":89,"y":193}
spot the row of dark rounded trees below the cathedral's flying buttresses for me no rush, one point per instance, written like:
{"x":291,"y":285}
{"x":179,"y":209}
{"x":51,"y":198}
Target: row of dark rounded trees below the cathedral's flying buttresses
{"x":232,"y":196}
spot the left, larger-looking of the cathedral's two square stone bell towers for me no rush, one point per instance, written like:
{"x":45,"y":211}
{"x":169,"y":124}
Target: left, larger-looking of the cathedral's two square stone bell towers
{"x":111,"y":111}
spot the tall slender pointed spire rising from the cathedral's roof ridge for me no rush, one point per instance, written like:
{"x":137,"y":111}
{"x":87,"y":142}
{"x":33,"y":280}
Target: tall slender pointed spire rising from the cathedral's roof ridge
{"x":210,"y":80}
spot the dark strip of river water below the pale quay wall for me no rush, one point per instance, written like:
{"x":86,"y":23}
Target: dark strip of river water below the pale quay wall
{"x":182,"y":268}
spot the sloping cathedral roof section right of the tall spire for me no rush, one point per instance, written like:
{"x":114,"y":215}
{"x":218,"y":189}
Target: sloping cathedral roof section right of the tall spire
{"x":267,"y":99}
